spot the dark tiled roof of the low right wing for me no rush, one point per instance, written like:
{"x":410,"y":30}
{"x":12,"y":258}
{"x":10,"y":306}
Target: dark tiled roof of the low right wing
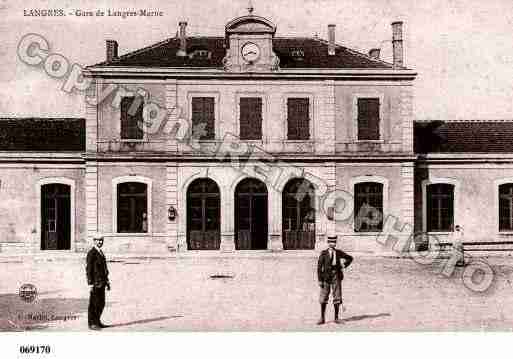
{"x":463,"y":137}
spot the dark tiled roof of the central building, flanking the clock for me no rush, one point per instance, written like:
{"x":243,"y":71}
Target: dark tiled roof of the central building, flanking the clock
{"x":163,"y":54}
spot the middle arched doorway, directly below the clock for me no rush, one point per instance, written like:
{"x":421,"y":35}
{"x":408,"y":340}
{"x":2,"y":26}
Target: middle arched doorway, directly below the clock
{"x":251,"y":214}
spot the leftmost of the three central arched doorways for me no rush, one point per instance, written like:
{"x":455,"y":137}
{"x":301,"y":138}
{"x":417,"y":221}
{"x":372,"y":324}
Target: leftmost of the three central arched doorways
{"x":203,"y":215}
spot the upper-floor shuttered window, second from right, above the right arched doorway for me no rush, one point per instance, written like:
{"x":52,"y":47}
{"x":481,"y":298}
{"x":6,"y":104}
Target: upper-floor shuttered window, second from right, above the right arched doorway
{"x":298,"y":119}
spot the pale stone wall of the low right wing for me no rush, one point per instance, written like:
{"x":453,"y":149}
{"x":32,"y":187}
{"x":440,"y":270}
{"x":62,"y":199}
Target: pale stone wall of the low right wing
{"x":476,"y":179}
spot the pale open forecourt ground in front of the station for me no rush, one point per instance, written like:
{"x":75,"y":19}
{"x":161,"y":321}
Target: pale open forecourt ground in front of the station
{"x":265,"y":293}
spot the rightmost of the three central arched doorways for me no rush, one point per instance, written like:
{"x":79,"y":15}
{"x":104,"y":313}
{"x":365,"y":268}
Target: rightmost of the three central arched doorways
{"x":298,"y":214}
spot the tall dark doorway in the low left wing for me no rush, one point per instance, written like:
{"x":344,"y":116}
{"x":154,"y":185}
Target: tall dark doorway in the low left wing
{"x":55,"y":216}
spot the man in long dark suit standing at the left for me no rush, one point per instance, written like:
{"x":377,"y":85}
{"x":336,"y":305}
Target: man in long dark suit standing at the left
{"x":98,"y":280}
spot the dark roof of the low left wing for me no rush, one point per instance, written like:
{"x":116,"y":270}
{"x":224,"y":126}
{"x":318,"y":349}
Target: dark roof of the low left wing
{"x":42,"y":134}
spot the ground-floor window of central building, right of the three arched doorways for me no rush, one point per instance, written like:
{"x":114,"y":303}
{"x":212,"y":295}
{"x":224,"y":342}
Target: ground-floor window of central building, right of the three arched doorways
{"x":368,"y":207}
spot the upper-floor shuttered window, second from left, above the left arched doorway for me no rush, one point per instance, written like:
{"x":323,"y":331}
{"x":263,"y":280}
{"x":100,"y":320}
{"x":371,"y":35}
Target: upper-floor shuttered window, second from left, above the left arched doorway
{"x":203,"y":118}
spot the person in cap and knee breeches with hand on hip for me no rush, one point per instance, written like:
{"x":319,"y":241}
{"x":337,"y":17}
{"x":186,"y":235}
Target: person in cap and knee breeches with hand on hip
{"x":330,"y":272}
